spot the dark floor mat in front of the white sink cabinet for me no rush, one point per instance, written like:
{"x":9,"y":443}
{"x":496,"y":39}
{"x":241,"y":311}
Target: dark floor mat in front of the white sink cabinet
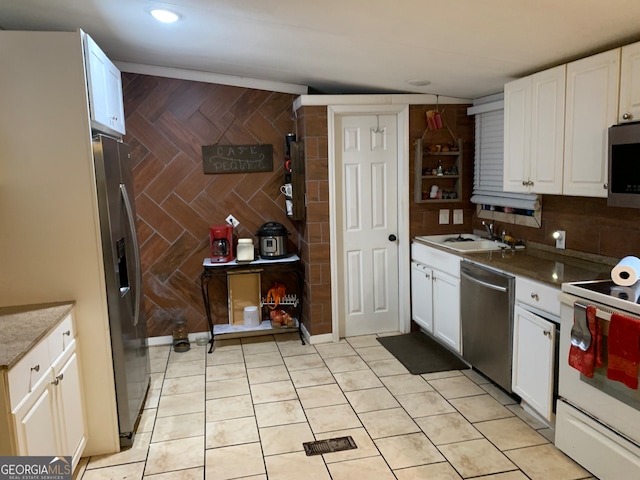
{"x":421,"y":354}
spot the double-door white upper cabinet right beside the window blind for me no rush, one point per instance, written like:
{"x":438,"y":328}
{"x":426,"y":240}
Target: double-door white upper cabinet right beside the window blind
{"x":533,"y":140}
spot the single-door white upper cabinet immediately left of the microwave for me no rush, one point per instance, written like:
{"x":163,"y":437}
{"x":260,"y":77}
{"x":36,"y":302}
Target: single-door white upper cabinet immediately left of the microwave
{"x":592,"y":107}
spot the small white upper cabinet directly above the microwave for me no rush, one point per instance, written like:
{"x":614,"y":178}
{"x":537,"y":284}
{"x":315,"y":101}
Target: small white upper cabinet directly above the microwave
{"x":629,"y":109}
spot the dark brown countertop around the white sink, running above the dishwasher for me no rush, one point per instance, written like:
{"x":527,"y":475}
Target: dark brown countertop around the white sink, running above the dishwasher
{"x":541,"y":263}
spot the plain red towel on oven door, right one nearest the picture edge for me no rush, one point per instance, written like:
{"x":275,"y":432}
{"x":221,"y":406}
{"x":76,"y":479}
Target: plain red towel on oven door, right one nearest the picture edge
{"x":624,"y":350}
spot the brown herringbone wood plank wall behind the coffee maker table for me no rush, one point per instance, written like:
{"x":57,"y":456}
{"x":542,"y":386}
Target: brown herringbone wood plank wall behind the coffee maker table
{"x":168,"y":121}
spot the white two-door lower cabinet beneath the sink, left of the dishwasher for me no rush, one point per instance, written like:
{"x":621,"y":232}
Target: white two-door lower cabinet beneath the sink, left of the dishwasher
{"x":435,"y":293}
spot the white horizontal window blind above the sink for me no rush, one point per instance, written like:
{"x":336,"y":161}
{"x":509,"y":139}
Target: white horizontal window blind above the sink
{"x":489,"y":160}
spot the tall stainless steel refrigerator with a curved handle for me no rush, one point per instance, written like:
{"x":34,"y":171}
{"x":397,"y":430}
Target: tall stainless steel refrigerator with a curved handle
{"x":123,"y":278}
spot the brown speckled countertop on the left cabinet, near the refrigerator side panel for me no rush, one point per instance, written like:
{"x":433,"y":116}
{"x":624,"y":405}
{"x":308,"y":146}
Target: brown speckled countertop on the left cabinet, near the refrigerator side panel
{"x":22,"y":327}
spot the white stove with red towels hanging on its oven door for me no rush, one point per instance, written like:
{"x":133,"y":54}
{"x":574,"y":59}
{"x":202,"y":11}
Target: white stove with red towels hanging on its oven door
{"x":597,"y":419}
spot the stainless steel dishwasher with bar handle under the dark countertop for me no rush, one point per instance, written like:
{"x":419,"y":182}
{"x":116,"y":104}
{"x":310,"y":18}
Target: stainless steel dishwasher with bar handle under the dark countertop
{"x":486,"y":311}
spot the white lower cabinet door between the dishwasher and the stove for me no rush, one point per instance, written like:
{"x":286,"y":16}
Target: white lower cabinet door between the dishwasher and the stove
{"x":533,"y":375}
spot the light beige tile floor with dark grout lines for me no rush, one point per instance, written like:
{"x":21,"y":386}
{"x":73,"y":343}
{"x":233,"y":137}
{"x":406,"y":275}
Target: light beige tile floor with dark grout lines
{"x":245,"y":410}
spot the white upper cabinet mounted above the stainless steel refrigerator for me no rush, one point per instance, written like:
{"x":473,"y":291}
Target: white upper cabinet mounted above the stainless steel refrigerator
{"x":105,"y":89}
